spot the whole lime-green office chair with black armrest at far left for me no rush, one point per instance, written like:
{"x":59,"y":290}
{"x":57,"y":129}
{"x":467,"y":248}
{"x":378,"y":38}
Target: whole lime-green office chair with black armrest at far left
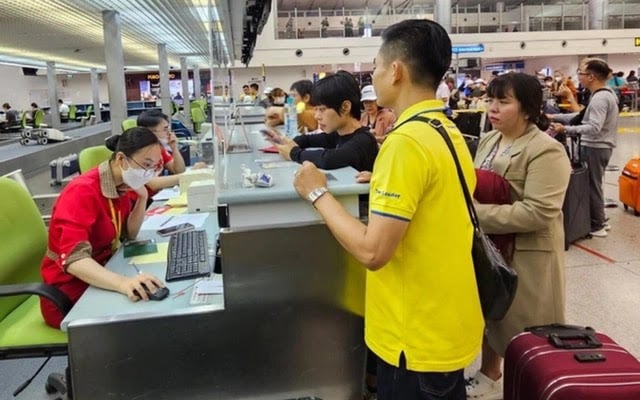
{"x":23,"y":332}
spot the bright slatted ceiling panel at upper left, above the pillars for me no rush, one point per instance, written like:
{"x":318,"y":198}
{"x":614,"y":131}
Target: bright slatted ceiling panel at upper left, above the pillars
{"x":64,"y":30}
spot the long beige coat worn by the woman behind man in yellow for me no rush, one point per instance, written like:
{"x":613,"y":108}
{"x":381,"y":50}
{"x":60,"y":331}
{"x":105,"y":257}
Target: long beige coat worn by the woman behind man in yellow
{"x":538,"y":170}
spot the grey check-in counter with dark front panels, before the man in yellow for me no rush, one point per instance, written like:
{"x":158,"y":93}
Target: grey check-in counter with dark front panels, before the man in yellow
{"x":289,"y":324}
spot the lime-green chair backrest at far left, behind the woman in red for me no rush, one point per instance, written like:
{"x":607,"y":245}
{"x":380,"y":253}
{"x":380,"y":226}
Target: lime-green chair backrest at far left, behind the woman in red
{"x":24,"y":240}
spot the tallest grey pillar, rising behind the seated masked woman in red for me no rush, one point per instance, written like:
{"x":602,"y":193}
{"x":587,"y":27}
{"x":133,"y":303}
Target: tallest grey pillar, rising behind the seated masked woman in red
{"x":115,"y":69}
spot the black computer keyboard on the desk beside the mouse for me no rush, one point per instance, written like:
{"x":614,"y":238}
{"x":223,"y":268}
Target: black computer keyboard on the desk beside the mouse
{"x":188,"y":256}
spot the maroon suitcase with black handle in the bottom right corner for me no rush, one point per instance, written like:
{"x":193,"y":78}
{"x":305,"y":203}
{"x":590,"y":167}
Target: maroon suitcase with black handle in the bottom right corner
{"x":563,"y":362}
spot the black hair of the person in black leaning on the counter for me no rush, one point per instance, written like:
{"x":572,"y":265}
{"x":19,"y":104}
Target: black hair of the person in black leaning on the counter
{"x":334,"y":89}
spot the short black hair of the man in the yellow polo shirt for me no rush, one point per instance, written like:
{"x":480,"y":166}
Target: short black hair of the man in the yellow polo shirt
{"x":423,"y":45}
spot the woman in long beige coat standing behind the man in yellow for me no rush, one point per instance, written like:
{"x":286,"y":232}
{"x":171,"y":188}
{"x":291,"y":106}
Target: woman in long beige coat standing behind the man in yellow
{"x":537,"y":169}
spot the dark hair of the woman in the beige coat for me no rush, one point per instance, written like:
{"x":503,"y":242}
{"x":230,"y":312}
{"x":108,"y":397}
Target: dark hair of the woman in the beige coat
{"x":526,"y":89}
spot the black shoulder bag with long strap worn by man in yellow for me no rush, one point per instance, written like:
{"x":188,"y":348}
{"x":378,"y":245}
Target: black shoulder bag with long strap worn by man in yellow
{"x":497,"y":282}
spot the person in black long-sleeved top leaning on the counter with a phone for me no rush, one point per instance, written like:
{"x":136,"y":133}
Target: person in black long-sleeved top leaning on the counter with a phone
{"x":346,"y":143}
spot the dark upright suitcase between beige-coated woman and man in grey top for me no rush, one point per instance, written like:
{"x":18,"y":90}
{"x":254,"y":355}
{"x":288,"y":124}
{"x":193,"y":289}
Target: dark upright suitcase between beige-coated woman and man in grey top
{"x":576,"y":208}
